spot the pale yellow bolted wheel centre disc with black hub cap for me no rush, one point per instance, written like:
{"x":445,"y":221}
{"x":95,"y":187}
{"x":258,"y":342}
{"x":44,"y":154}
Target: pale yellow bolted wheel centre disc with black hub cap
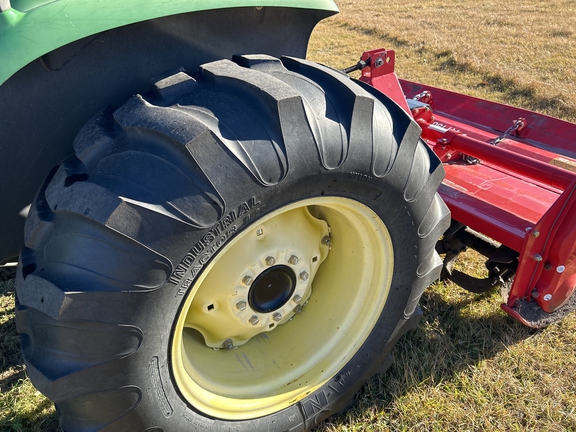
{"x":261,"y":282}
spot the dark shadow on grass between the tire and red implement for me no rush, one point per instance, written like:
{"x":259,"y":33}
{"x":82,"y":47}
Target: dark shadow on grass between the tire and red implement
{"x":449,"y":340}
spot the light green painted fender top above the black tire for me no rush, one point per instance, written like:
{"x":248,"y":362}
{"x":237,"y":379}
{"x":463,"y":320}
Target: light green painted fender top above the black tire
{"x":33,"y":28}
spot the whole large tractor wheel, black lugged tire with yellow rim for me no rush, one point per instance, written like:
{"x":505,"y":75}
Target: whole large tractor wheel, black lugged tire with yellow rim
{"x":238,"y":250}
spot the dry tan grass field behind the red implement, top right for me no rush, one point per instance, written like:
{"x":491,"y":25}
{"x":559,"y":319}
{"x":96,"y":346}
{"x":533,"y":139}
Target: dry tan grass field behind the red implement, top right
{"x":520,"y":52}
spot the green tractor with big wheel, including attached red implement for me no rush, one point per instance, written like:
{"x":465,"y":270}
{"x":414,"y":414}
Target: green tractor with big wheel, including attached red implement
{"x":214,"y":233}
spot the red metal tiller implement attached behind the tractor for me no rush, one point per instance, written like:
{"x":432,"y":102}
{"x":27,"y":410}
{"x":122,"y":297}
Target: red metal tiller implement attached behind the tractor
{"x":511,"y":176}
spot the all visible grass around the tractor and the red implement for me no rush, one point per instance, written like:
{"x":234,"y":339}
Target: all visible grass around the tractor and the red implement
{"x":468,"y":367}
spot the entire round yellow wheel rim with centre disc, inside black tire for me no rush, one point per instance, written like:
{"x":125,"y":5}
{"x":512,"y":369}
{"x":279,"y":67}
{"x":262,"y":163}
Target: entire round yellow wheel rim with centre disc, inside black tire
{"x":244,"y":347}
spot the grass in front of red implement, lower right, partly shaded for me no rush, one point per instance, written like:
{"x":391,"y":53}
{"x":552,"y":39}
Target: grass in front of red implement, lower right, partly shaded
{"x":468,"y":367}
